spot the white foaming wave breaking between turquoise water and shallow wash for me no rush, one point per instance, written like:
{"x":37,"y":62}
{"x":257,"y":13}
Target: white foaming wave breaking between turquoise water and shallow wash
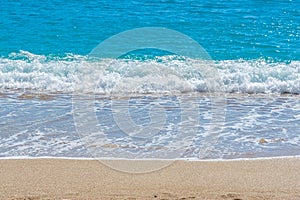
{"x":27,"y":71}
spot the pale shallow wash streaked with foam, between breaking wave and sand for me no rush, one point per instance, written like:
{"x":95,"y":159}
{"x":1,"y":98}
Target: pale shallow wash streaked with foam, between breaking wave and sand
{"x":35,"y":127}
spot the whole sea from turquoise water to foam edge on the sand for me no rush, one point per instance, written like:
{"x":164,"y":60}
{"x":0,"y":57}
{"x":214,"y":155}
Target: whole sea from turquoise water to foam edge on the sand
{"x":160,"y":79}
